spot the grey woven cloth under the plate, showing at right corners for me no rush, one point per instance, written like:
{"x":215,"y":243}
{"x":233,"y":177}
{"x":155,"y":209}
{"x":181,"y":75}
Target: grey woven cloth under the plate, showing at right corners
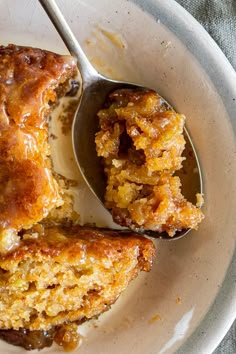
{"x":218,"y":17}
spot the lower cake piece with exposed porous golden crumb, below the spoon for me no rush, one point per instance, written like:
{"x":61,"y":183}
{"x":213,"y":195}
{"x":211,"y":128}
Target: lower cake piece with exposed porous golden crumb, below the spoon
{"x":70,"y":274}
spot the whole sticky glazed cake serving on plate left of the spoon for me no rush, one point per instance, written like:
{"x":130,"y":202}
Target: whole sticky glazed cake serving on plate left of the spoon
{"x":54,"y":274}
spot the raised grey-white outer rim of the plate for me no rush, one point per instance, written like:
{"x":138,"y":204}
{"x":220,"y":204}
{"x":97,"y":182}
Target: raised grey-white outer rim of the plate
{"x":191,"y":33}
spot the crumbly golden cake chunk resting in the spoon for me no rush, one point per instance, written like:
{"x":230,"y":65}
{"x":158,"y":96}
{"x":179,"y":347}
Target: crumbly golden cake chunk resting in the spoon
{"x":141,"y":141}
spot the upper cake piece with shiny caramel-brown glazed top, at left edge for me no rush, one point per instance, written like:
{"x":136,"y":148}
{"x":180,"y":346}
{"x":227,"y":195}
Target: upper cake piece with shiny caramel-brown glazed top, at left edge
{"x":30,"y":82}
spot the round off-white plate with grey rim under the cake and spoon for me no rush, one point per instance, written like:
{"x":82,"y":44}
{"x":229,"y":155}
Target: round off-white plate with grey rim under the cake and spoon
{"x":166,"y":49}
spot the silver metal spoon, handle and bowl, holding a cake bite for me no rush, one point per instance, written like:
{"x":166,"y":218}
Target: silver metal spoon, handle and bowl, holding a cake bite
{"x":95,"y":89}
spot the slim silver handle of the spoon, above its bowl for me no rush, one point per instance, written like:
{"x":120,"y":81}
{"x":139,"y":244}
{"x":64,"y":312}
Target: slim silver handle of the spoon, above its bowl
{"x":59,"y":22}
